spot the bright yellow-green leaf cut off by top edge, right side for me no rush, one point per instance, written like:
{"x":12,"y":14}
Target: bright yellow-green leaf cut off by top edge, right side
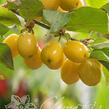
{"x":96,"y":3}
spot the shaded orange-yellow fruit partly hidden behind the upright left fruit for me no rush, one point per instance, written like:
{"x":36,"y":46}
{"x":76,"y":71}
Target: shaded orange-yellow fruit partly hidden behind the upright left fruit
{"x":34,"y":62}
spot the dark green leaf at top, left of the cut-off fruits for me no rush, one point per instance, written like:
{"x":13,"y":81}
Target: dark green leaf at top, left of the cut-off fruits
{"x":30,"y":9}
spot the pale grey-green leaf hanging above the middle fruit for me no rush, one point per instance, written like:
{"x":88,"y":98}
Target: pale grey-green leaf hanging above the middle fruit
{"x":56,"y":19}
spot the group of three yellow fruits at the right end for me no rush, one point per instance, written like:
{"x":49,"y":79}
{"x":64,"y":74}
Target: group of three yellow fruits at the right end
{"x":79,"y":66}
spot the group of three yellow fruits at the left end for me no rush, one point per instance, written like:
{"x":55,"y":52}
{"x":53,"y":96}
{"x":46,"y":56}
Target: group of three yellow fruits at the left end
{"x":26,"y":46}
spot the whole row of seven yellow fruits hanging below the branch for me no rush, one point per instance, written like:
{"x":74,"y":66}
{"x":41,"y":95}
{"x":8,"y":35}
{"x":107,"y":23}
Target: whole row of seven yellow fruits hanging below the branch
{"x":72,"y":58}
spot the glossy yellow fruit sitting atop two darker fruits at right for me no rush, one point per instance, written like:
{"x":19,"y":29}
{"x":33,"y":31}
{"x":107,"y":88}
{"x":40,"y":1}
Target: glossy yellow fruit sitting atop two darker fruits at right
{"x":76,"y":51}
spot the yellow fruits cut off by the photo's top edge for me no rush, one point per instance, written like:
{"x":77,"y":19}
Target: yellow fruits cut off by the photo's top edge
{"x":62,"y":5}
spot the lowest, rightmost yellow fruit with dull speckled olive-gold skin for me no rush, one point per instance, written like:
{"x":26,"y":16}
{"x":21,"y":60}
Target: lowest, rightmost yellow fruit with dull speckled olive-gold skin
{"x":90,"y":72}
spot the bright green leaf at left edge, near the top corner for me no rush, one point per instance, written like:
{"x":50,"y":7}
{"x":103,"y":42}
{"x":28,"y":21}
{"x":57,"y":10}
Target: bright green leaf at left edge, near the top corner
{"x":8,"y":17}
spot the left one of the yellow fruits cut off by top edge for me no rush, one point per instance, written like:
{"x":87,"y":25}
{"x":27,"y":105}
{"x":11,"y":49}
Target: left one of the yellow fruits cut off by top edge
{"x":51,"y":4}
